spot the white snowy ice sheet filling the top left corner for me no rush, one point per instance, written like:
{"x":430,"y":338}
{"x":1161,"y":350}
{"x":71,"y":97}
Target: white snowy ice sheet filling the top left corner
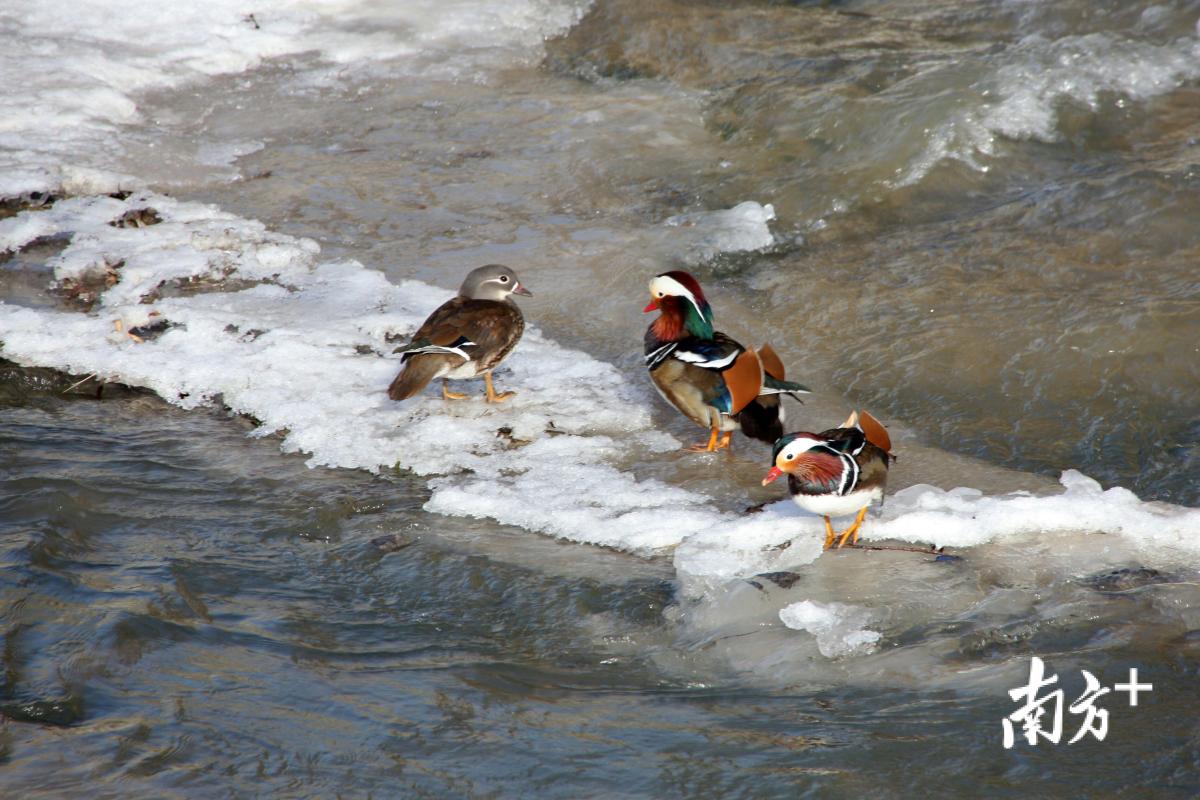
{"x":85,"y":65}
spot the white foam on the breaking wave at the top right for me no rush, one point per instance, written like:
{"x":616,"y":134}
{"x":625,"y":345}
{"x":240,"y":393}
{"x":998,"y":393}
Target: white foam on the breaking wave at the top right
{"x":1024,"y":95}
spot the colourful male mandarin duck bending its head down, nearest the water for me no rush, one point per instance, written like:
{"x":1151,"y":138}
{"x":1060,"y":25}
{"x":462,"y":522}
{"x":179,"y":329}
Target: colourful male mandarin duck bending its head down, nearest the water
{"x":838,"y":472}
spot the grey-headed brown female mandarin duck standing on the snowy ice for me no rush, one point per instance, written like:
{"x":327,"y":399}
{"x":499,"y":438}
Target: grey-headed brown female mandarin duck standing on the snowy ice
{"x":466,"y":336}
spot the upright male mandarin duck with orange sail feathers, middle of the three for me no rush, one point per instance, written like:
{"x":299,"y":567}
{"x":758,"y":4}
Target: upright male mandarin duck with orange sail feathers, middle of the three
{"x":716,"y":382}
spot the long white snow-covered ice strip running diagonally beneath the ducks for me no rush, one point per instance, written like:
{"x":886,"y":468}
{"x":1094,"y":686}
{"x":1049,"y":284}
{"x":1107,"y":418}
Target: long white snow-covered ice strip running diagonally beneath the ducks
{"x":259,"y":321}
